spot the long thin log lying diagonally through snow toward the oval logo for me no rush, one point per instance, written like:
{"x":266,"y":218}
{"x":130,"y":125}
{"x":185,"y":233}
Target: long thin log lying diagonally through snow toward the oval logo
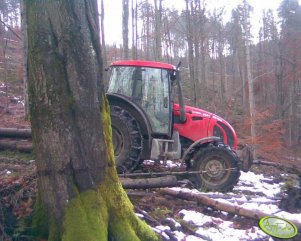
{"x":223,"y":206}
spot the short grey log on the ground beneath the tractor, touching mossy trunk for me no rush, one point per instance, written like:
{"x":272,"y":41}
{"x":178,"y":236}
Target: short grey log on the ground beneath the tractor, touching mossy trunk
{"x":156,"y":182}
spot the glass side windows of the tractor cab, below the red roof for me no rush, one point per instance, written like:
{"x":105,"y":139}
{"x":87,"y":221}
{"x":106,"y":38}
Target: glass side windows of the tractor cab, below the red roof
{"x":147,"y":87}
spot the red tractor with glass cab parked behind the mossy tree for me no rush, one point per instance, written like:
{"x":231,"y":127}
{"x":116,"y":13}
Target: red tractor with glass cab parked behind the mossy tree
{"x":148,"y":125}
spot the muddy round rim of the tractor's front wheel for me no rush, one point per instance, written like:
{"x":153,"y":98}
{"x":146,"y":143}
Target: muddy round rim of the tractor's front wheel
{"x":214,"y":171}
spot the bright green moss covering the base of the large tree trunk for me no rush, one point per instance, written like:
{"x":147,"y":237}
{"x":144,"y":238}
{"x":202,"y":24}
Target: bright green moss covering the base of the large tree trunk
{"x":104,"y":214}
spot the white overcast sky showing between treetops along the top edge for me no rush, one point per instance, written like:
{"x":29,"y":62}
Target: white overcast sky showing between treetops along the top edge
{"x":113,"y":13}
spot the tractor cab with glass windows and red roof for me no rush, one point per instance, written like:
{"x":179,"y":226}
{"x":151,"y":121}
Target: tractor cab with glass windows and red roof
{"x":148,"y":85}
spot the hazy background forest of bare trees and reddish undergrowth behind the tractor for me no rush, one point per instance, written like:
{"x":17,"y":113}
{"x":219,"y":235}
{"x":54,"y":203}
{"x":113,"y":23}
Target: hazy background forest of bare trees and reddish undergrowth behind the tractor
{"x":249,"y":75}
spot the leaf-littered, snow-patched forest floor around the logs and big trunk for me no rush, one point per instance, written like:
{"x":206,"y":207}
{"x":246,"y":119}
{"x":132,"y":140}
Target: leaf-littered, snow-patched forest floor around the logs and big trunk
{"x":263,"y":188}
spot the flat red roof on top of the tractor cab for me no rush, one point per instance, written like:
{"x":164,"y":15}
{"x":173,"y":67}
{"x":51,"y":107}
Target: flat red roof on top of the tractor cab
{"x":144,"y":63}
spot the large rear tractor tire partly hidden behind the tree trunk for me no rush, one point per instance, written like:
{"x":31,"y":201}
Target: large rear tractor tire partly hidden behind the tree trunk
{"x":127,"y":140}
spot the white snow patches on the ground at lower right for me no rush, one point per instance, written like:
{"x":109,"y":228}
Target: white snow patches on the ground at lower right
{"x":254,"y":192}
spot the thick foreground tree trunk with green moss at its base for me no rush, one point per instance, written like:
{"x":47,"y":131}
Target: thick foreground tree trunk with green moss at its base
{"x":81,"y":197}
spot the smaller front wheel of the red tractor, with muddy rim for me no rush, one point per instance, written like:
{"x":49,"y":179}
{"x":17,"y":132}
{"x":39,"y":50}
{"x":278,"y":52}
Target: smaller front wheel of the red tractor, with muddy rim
{"x":214,"y":160}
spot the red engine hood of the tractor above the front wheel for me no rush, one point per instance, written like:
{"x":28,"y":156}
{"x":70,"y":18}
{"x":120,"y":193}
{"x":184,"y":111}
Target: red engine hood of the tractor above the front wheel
{"x":200,"y":123}
